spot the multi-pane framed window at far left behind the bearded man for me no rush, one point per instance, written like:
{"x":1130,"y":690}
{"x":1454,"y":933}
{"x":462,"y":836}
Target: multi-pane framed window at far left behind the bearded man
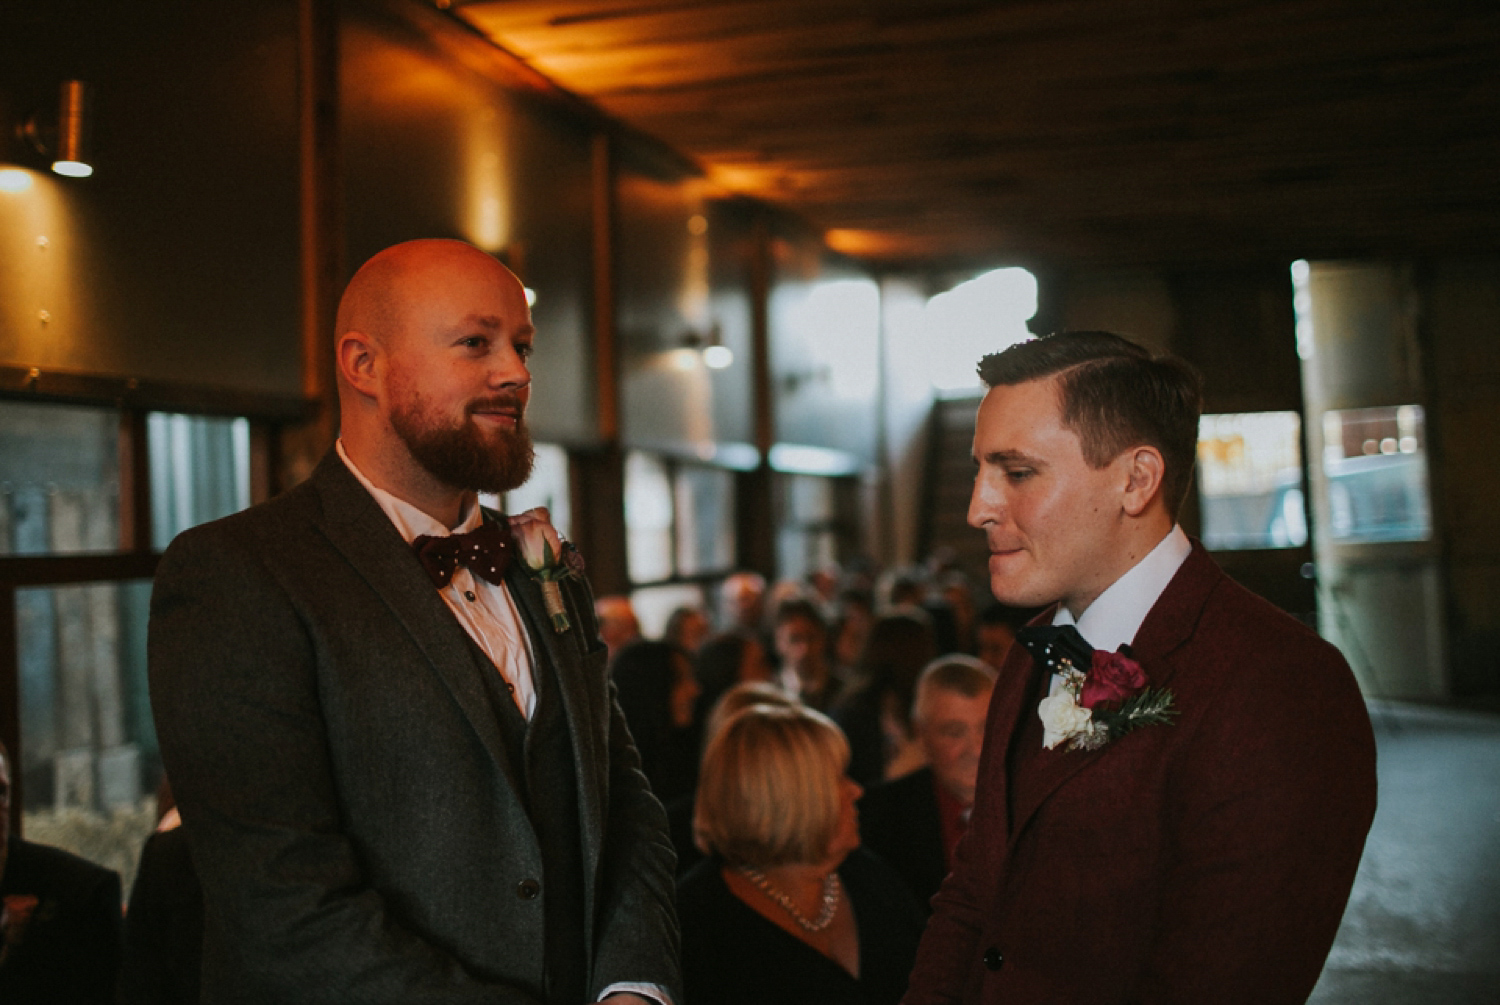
{"x":88,"y":499}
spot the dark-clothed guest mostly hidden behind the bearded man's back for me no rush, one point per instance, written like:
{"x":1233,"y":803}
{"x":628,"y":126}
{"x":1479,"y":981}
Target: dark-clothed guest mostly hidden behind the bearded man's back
{"x":164,"y":925}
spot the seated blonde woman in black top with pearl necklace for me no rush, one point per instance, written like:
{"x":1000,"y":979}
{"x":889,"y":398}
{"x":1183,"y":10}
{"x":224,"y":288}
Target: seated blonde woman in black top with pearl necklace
{"x":788,"y":908}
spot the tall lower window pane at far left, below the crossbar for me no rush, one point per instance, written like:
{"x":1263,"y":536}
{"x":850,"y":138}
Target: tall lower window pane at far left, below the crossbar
{"x":89,"y":758}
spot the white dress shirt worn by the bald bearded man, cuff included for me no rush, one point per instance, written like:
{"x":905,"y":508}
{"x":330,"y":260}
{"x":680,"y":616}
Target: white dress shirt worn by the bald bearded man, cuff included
{"x":490,"y":616}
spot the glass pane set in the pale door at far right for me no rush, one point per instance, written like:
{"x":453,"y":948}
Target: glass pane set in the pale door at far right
{"x":1376,"y":467}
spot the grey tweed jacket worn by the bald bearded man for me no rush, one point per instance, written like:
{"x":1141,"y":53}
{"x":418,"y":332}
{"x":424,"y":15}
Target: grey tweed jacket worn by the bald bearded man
{"x":344,"y":782}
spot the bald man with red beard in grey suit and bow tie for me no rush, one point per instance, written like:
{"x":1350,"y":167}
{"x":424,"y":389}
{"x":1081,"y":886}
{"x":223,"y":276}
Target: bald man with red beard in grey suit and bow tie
{"x":401,"y":779}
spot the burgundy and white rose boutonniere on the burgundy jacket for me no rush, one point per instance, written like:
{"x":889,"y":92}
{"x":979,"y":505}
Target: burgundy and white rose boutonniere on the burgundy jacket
{"x":1109,"y":701}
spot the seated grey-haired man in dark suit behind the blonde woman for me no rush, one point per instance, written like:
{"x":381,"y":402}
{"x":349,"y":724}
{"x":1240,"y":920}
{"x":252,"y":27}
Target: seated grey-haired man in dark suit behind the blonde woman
{"x":916,"y":823}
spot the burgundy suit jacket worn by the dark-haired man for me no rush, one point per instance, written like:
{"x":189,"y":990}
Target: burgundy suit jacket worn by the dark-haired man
{"x":1202,"y":862}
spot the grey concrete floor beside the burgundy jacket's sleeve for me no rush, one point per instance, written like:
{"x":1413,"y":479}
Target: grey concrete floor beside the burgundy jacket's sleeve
{"x":1424,"y":920}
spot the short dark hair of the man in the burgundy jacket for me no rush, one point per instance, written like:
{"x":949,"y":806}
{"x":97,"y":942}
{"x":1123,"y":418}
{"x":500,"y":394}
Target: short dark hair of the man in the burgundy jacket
{"x":1115,"y":395}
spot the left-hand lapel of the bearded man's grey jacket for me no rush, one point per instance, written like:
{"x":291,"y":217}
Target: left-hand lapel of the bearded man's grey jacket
{"x":364,"y":535}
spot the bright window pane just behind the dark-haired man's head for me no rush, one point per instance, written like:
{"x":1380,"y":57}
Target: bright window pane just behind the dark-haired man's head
{"x":1250,"y":481}
